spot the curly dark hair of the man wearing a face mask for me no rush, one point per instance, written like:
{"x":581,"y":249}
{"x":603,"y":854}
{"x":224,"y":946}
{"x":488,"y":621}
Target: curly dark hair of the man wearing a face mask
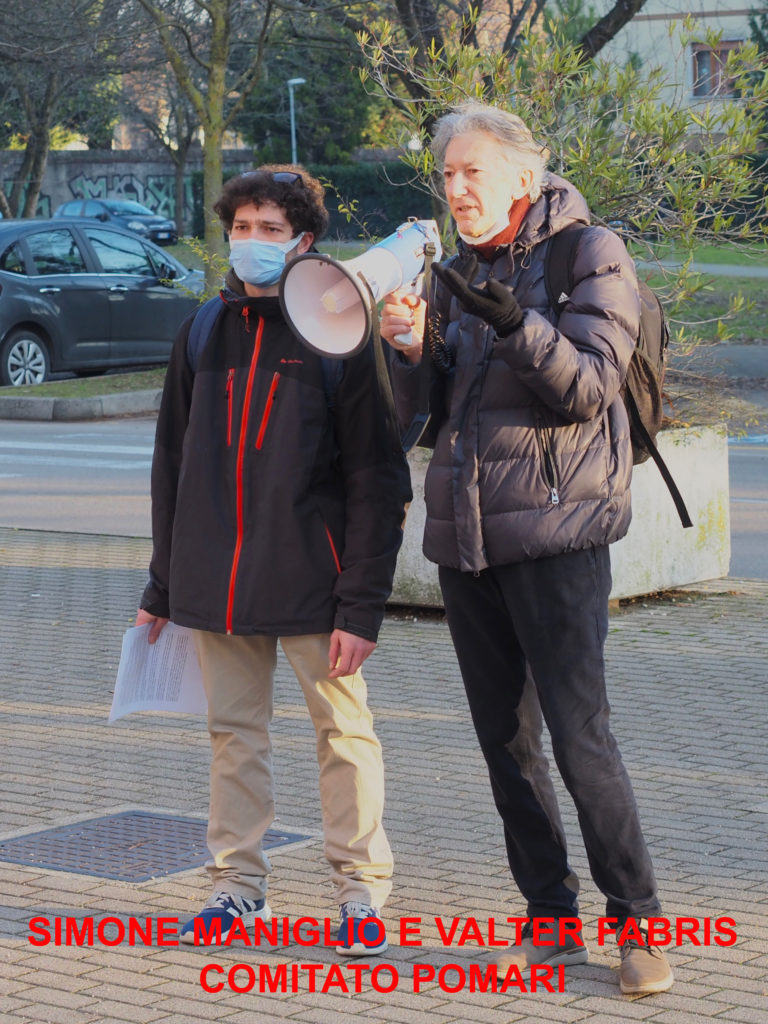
{"x":303,"y":200}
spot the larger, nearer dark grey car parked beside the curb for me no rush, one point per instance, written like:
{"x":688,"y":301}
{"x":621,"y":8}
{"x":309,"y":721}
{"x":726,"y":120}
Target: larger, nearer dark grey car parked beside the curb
{"x":81,"y":296}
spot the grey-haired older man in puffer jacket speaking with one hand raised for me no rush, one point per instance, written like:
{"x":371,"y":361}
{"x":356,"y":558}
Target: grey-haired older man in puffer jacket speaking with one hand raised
{"x":529,"y":485}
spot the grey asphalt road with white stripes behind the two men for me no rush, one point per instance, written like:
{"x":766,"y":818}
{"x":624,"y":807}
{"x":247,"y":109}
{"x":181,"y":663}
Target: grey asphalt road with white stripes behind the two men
{"x":95,"y":479}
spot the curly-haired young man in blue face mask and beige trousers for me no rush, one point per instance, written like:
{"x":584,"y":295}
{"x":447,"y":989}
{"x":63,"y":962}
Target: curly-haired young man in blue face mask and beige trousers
{"x":277,"y":516}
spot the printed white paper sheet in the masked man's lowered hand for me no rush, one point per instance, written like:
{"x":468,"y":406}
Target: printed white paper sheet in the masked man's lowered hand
{"x":163,"y":676}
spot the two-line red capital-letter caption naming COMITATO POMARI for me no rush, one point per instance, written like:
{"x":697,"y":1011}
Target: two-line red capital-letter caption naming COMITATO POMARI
{"x":349,"y":978}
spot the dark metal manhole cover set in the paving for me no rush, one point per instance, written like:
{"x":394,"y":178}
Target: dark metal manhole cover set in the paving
{"x":134,"y":846}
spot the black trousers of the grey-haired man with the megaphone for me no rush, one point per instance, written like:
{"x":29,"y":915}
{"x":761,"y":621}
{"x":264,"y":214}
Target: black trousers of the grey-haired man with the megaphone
{"x":530,"y":641}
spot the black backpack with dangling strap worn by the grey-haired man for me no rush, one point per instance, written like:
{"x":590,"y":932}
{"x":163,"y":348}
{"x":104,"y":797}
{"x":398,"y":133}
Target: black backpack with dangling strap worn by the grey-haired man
{"x":643,"y":390}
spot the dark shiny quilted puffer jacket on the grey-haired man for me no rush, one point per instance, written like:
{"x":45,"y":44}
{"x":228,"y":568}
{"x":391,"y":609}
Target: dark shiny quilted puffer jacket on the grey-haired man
{"x":532,"y":456}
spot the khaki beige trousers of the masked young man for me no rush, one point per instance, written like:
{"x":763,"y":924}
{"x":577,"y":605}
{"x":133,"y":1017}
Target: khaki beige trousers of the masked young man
{"x":239,"y":675}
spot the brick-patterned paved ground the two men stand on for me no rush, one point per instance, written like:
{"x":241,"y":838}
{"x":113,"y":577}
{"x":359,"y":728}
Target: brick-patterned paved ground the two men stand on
{"x":689,"y":690}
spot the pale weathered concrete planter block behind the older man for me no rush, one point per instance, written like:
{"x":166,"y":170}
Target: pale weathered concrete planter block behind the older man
{"x":657,"y":554}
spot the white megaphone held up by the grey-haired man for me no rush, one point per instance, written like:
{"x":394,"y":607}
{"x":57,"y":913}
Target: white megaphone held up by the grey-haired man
{"x":327,"y":304}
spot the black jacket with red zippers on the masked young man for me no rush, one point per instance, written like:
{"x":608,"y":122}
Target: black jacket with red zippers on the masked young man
{"x":278,"y":508}
